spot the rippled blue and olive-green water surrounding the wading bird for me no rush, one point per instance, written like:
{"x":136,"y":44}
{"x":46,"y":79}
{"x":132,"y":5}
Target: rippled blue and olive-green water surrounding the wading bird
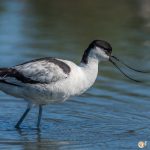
{"x":115,"y":112}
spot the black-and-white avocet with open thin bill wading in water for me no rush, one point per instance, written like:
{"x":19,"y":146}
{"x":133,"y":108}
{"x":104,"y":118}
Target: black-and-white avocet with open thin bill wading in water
{"x":50,"y":80}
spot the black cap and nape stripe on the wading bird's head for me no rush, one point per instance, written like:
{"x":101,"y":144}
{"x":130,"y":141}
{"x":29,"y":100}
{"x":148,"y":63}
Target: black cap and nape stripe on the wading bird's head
{"x":96,"y":43}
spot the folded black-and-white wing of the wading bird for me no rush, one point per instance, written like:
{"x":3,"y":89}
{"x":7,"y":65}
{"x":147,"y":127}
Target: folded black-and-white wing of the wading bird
{"x":44,"y":71}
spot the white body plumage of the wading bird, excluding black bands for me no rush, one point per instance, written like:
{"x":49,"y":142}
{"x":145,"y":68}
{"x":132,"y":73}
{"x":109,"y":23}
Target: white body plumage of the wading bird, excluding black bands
{"x":54,"y":85}
